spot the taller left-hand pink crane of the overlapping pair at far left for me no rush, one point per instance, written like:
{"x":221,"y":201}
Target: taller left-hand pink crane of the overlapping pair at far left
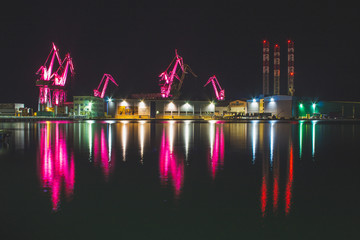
{"x":46,"y":75}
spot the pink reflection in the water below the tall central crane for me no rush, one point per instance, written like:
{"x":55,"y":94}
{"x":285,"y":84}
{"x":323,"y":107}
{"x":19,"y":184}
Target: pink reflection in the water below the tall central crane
{"x":171,"y":166}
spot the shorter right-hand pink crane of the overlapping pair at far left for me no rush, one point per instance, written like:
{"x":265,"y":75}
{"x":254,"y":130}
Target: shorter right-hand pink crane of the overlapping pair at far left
{"x":60,"y":76}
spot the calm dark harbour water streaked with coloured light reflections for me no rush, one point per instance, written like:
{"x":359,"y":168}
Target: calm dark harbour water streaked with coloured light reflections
{"x":180,"y":180}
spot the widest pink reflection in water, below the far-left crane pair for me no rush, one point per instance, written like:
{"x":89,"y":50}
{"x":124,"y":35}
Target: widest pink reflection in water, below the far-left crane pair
{"x":56,"y":168}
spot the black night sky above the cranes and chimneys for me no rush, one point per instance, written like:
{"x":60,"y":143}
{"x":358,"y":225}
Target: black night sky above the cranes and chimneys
{"x":134,"y":41}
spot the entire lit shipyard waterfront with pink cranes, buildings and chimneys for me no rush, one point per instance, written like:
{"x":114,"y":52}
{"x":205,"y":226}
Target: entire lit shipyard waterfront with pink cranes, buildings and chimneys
{"x":167,"y":105}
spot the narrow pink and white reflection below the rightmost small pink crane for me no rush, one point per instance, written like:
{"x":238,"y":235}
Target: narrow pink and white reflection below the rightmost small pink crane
{"x":217,"y":148}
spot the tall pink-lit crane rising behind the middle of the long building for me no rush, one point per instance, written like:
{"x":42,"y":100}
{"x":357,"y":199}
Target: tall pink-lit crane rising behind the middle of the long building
{"x":167,"y":78}
